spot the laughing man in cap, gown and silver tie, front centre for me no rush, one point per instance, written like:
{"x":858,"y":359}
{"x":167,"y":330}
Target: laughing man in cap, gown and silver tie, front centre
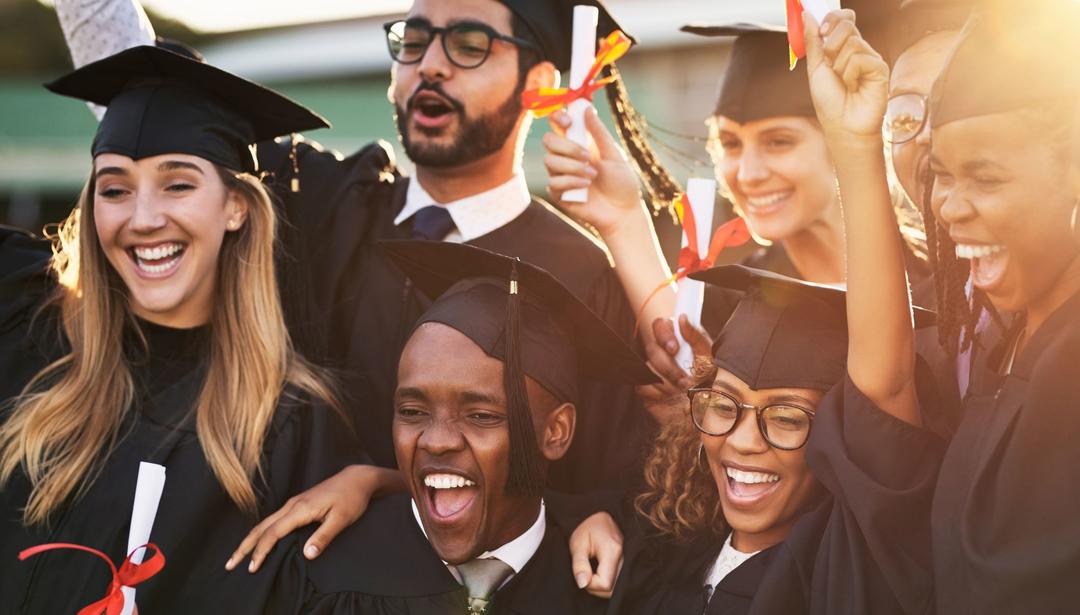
{"x":485,"y":404}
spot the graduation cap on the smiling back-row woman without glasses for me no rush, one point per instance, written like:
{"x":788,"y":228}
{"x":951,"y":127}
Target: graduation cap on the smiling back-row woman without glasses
{"x":758,"y":84}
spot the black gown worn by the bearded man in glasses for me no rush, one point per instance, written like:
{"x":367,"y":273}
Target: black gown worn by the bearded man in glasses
{"x":363,"y":309}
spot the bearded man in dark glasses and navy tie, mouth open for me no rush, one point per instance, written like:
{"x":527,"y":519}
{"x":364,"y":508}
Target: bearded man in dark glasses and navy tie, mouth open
{"x":460,"y":70}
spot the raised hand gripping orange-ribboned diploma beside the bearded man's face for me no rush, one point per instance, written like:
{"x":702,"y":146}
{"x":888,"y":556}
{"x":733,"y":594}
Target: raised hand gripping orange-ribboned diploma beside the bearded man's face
{"x":614,"y":191}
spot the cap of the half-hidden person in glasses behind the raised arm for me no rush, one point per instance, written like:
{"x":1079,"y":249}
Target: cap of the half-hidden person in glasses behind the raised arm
{"x":893,"y":26}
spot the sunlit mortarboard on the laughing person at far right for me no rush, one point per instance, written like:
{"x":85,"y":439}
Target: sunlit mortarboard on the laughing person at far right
{"x":1010,"y":57}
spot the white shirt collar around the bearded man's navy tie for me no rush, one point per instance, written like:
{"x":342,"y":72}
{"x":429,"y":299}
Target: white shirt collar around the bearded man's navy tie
{"x":477,"y":216}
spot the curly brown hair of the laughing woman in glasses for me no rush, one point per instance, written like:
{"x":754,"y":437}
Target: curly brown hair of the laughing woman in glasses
{"x":681,"y":499}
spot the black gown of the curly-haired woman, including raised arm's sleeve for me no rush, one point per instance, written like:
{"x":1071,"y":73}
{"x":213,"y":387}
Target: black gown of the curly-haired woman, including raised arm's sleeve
{"x":830,"y":564}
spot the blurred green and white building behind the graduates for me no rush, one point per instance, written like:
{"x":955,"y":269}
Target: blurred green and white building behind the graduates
{"x":341,"y":69}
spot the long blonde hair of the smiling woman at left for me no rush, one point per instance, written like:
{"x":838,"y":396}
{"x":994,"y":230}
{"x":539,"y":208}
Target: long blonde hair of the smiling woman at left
{"x":70,"y":417}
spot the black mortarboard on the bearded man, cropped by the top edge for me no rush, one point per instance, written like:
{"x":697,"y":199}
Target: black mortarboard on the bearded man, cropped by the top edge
{"x":552,"y":25}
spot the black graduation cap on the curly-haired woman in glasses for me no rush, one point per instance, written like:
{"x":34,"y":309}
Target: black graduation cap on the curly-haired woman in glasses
{"x":785,"y":333}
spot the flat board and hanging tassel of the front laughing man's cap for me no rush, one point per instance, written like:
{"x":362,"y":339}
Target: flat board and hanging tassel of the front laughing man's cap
{"x":522,"y":316}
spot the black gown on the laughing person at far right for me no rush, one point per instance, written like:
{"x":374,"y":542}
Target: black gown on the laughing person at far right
{"x":1006,"y":528}
